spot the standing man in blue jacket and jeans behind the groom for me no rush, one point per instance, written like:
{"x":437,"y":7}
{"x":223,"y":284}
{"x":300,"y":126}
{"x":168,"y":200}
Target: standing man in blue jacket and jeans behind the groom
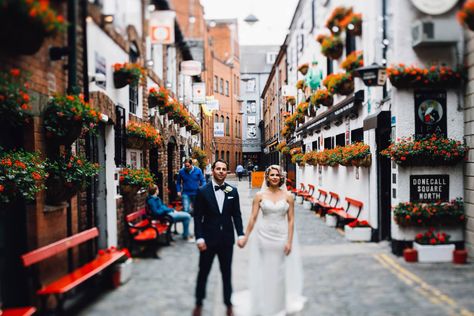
{"x":190,"y":178}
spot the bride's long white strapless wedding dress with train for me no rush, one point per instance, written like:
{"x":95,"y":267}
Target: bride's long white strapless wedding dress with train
{"x":275,"y":280}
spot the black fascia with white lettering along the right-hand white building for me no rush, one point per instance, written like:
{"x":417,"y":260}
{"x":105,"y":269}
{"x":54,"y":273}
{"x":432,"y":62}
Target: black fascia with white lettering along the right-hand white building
{"x":347,"y":107}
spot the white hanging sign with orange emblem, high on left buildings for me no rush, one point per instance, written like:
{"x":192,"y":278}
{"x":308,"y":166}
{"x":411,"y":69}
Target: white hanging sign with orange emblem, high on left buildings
{"x":162,"y":27}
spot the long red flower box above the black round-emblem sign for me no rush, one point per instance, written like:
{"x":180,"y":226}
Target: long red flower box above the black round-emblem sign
{"x":402,"y":76}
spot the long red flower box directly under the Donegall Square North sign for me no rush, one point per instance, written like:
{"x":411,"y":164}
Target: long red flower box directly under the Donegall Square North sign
{"x":430,"y":214}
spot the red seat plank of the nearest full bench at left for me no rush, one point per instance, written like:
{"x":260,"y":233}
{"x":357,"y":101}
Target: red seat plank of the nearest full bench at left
{"x":78,"y":276}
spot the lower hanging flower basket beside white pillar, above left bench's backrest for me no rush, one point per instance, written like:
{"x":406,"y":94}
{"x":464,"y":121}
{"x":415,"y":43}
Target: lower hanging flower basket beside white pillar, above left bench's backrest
{"x":68,"y":174}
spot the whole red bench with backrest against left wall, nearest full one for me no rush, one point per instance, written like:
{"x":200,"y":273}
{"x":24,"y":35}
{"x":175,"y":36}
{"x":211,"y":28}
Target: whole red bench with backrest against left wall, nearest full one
{"x":63,"y":285}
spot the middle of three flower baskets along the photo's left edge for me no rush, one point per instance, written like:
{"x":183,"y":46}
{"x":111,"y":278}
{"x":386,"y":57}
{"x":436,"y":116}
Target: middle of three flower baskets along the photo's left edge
{"x":14,"y":99}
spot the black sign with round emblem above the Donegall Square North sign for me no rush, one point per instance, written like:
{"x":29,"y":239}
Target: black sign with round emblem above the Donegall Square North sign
{"x":430,"y":113}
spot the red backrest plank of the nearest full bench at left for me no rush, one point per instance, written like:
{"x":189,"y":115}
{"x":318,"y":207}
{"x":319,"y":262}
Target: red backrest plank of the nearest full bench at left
{"x":58,"y":246}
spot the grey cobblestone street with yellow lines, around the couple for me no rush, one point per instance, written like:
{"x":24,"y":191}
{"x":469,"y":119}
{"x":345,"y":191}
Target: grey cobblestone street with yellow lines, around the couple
{"x":341,"y":278}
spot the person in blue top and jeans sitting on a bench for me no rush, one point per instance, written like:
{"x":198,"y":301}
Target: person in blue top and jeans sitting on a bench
{"x":158,"y":208}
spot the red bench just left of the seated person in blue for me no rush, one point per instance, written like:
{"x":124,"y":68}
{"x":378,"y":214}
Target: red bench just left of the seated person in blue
{"x":145,"y":231}
